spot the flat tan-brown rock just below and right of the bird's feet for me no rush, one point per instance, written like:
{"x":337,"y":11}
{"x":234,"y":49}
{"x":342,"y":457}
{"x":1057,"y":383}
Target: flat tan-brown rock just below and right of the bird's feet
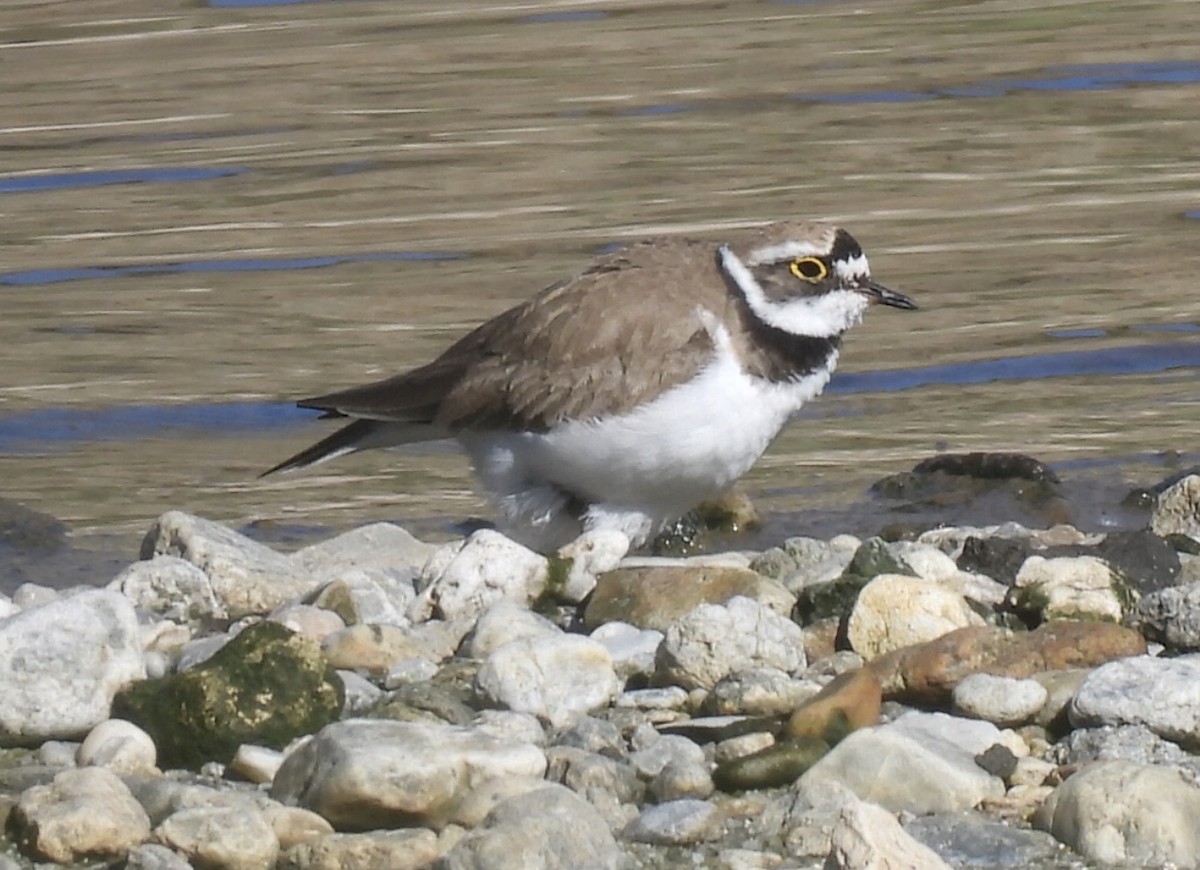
{"x":655,"y":597}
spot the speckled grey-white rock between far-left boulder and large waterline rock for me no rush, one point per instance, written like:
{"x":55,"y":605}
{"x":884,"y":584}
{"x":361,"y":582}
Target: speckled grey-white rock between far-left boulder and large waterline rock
{"x":171,"y":587}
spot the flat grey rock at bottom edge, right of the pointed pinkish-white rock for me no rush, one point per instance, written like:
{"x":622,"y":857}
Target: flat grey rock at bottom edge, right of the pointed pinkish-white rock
{"x":970,"y":841}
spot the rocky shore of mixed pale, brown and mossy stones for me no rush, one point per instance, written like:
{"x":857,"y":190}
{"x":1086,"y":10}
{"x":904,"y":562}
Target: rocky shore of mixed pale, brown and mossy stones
{"x":963,"y":698}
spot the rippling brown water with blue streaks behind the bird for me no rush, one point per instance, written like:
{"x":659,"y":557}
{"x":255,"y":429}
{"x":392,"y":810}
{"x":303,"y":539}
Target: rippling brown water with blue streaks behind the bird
{"x":212,"y":209}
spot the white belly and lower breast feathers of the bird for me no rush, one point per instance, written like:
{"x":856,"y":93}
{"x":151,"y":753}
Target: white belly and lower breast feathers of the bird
{"x":653,"y":464}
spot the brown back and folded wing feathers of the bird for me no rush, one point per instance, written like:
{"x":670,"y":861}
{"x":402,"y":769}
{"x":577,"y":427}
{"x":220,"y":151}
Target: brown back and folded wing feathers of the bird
{"x":599,"y":344}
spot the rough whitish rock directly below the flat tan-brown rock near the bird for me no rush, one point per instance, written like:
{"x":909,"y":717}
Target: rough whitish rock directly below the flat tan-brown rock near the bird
{"x":712,"y":641}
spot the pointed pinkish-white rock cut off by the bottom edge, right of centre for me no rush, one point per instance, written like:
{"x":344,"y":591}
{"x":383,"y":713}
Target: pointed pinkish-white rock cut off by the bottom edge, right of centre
{"x":869,"y":838}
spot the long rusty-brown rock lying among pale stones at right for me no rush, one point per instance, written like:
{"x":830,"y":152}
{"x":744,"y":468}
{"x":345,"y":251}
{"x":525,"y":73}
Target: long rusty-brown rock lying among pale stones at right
{"x":928,"y":673}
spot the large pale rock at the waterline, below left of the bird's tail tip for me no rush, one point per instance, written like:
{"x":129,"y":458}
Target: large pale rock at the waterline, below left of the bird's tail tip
{"x":248,"y":578}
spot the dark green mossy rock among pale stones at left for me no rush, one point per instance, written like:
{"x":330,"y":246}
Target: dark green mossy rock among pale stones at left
{"x":268,"y":687}
